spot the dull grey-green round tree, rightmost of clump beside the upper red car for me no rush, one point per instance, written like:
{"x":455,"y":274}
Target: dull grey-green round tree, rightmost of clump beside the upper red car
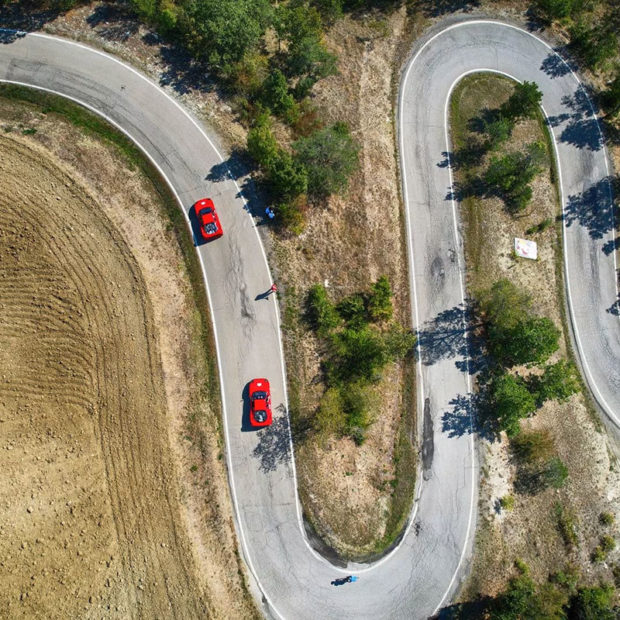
{"x":330,"y":157}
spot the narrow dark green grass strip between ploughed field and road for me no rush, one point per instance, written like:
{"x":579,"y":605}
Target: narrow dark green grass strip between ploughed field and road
{"x":95,"y":126}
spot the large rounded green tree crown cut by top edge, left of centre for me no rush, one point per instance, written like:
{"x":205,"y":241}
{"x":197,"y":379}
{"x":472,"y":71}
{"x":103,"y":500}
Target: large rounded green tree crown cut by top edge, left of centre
{"x":221,"y":32}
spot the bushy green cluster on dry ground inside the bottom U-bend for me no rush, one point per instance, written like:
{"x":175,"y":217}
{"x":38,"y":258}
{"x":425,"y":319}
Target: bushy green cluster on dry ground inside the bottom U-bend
{"x":360,"y":340}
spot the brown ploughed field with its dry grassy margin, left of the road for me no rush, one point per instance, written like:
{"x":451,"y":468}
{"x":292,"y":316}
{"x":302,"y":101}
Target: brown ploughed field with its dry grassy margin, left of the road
{"x":113,"y":499}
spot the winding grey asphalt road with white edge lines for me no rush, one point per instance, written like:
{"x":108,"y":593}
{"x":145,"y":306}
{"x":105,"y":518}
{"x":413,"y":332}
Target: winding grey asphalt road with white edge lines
{"x":289,"y":579}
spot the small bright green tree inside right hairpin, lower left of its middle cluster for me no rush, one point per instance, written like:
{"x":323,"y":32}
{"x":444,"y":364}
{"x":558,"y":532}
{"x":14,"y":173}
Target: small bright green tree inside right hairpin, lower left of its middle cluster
{"x":511,"y":401}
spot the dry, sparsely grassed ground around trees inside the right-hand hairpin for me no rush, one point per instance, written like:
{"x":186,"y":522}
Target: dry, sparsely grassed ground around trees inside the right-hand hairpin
{"x":531,"y":530}
